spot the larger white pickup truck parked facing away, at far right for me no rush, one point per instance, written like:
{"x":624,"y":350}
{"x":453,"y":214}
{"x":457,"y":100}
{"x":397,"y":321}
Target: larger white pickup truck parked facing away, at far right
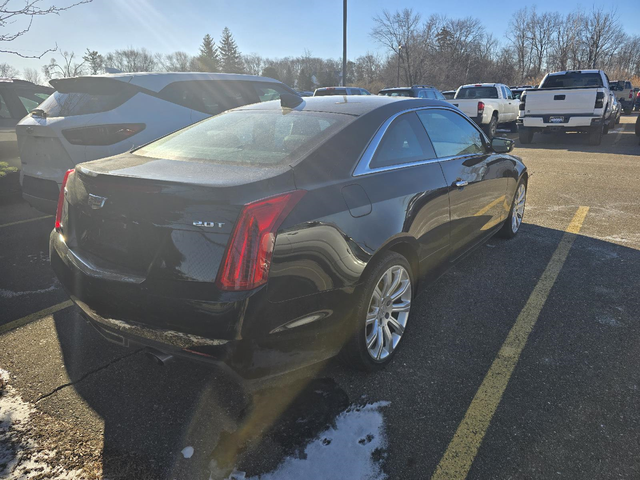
{"x":573,"y":101}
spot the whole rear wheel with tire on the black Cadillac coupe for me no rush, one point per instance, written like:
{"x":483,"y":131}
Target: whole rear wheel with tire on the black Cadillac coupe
{"x":375,"y":331}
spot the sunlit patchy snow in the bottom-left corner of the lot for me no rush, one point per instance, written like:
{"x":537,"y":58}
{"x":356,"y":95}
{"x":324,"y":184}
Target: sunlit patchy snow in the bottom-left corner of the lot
{"x":19,"y":454}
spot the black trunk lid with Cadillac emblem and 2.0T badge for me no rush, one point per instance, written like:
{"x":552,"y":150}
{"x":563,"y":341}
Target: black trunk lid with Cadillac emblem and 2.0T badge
{"x":162,"y":220}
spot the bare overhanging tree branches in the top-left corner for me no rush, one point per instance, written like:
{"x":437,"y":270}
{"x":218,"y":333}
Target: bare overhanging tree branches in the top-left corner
{"x":20,"y":16}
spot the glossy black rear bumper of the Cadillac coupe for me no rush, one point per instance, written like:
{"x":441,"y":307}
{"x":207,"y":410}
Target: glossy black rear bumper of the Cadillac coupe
{"x":226,"y":333}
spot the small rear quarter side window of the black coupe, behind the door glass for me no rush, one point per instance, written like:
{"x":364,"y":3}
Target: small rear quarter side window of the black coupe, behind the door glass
{"x":404,"y":141}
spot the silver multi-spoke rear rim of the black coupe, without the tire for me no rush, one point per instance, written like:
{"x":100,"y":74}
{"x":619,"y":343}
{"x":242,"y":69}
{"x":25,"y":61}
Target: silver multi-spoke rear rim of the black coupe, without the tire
{"x":388,"y":312}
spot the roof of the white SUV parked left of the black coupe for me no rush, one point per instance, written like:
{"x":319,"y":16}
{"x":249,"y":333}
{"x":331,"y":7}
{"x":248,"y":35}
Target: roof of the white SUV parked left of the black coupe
{"x":156,"y":81}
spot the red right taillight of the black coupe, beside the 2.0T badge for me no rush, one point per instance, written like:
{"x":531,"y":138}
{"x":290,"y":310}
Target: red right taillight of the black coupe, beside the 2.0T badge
{"x":246,"y":263}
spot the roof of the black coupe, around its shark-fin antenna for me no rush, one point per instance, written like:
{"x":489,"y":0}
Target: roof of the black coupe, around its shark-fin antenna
{"x":350,"y":105}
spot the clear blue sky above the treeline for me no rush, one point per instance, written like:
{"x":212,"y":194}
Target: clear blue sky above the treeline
{"x":272,"y":29}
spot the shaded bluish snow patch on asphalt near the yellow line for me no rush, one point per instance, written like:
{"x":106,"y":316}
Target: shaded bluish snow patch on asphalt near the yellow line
{"x":348,"y":450}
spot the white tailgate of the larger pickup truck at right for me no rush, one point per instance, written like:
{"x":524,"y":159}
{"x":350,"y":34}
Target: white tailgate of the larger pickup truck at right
{"x":562,"y":101}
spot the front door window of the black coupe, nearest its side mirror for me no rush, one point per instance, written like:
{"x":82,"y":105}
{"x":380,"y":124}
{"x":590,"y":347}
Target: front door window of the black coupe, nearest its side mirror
{"x":451,"y":134}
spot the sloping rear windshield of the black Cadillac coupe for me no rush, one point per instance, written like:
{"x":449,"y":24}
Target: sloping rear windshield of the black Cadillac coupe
{"x":249,"y":137}
